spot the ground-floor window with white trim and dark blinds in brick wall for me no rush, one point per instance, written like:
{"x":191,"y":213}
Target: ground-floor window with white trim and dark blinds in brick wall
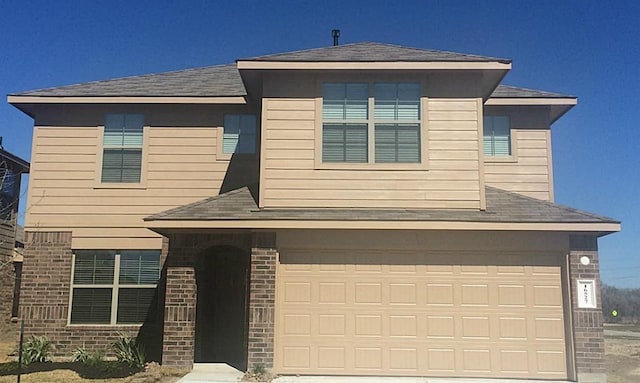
{"x":113,"y":287}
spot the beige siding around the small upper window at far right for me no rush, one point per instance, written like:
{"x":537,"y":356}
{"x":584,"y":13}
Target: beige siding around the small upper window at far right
{"x":529,"y":171}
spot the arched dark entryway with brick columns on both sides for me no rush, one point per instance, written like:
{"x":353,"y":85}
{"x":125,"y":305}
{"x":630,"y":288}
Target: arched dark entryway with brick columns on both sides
{"x":219,"y":300}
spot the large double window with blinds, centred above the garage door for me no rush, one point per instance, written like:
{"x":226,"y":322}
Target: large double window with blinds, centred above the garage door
{"x":371,"y":122}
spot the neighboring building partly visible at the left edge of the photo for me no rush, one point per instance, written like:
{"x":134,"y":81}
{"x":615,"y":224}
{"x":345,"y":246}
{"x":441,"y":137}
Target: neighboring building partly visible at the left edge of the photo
{"x":11,"y":169}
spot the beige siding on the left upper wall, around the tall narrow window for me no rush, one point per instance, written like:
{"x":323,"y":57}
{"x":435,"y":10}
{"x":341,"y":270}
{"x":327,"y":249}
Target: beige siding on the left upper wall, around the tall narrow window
{"x":65,"y":193}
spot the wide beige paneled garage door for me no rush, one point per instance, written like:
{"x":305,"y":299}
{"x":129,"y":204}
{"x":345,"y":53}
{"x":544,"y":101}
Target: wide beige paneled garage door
{"x":420,"y":315}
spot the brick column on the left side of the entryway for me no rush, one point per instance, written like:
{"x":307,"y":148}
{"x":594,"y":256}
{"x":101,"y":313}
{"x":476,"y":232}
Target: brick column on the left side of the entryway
{"x":180,"y":310}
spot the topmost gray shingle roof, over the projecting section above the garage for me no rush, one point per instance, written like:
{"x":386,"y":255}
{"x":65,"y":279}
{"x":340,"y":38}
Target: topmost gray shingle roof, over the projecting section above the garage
{"x":370,"y":52}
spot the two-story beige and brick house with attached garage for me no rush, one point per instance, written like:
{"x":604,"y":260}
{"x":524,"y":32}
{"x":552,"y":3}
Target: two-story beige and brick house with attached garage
{"x":362,"y":209}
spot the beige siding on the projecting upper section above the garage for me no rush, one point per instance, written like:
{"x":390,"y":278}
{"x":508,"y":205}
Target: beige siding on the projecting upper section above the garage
{"x":291,"y":176}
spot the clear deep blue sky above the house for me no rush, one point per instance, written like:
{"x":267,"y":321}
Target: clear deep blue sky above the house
{"x":586,"y":48}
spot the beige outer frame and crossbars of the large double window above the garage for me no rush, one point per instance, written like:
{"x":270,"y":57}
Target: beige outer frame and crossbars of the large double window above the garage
{"x":371,"y":122}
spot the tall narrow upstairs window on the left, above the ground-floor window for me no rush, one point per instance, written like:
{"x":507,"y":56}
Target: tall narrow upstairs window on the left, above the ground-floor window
{"x":122,"y":148}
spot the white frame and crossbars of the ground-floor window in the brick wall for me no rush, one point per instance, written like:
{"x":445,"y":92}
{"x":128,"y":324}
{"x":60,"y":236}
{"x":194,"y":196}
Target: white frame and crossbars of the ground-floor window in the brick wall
{"x":115,"y":289}
